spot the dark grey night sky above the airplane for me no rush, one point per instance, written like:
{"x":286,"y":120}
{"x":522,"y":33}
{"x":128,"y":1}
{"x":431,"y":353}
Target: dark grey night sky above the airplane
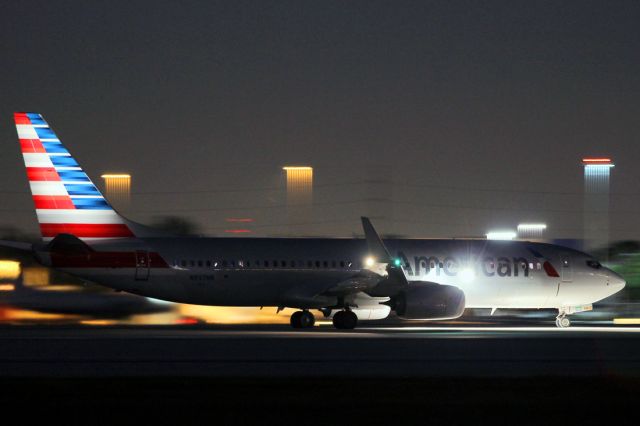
{"x":476,"y":113}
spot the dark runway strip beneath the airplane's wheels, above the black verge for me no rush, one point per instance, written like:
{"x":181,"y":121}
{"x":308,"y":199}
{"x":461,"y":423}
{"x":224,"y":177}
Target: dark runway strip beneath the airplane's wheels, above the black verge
{"x":280,"y":352}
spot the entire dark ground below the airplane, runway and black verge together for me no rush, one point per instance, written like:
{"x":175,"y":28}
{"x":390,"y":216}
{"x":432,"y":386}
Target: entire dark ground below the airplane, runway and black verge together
{"x":256,"y":375}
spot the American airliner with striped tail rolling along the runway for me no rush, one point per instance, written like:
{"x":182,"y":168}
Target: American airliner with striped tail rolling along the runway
{"x":347,"y":279}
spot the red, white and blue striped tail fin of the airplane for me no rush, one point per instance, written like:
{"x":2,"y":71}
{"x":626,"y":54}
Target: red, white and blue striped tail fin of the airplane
{"x":66,"y":200}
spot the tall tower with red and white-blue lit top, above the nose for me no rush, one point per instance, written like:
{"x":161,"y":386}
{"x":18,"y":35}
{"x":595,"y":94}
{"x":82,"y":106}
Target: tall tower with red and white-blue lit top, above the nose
{"x":596,"y":202}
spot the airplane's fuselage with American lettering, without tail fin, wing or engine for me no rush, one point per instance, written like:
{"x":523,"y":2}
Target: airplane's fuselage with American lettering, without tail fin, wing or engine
{"x":299,"y":272}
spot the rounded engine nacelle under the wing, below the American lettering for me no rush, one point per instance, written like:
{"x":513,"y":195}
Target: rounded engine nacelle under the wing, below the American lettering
{"x":429,"y":301}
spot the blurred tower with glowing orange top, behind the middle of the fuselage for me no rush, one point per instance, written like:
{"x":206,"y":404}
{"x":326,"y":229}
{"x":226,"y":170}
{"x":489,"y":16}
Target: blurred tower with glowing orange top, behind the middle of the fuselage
{"x":299,"y":197}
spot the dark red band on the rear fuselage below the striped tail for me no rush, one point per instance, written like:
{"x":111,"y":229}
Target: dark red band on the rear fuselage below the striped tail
{"x":97,"y":259}
